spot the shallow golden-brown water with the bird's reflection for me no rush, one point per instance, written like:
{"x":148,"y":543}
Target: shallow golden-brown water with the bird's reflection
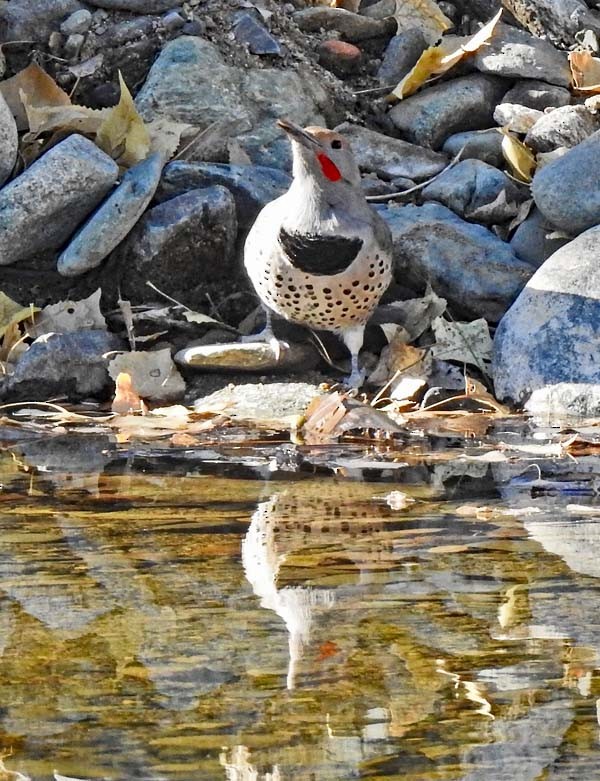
{"x":253,"y":616}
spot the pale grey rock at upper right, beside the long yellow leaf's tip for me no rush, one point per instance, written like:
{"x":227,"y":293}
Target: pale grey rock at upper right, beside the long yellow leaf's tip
{"x":515,"y":54}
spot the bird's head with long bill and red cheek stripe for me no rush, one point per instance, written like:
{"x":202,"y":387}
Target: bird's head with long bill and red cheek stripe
{"x":321,"y":153}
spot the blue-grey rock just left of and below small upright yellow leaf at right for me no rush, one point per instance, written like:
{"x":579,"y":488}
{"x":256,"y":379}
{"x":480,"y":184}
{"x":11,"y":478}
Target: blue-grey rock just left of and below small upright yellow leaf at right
{"x":476,"y":191}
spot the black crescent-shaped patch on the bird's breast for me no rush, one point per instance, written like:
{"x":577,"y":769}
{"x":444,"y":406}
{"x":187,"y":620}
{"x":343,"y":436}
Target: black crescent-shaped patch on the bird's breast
{"x":320,"y":255}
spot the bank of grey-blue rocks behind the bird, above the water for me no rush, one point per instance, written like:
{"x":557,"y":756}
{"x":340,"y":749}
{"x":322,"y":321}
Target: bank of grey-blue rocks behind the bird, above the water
{"x":165,"y":233}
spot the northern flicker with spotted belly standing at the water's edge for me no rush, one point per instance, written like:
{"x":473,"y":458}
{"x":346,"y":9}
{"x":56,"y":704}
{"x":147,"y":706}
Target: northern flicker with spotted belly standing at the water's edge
{"x":319,"y":255}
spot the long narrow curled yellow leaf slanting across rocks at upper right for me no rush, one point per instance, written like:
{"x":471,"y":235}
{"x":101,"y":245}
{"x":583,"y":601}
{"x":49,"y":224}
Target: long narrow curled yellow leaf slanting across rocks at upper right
{"x":438,"y":59}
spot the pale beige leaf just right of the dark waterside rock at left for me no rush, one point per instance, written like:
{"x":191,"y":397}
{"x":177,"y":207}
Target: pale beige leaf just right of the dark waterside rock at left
{"x":153,"y":374}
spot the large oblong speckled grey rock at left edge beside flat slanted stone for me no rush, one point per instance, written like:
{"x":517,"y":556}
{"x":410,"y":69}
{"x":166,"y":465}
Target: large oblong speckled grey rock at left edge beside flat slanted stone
{"x":42,"y":207}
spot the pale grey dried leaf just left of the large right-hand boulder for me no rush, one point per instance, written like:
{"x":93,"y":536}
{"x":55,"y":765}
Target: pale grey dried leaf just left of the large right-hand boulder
{"x":468,"y":343}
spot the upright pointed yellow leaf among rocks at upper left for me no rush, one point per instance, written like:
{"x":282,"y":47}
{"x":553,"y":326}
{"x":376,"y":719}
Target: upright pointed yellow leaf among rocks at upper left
{"x":123,"y":134}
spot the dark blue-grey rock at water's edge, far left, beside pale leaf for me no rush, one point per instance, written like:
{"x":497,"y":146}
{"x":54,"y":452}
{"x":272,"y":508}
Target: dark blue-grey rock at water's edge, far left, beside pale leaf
{"x":72,"y":365}
